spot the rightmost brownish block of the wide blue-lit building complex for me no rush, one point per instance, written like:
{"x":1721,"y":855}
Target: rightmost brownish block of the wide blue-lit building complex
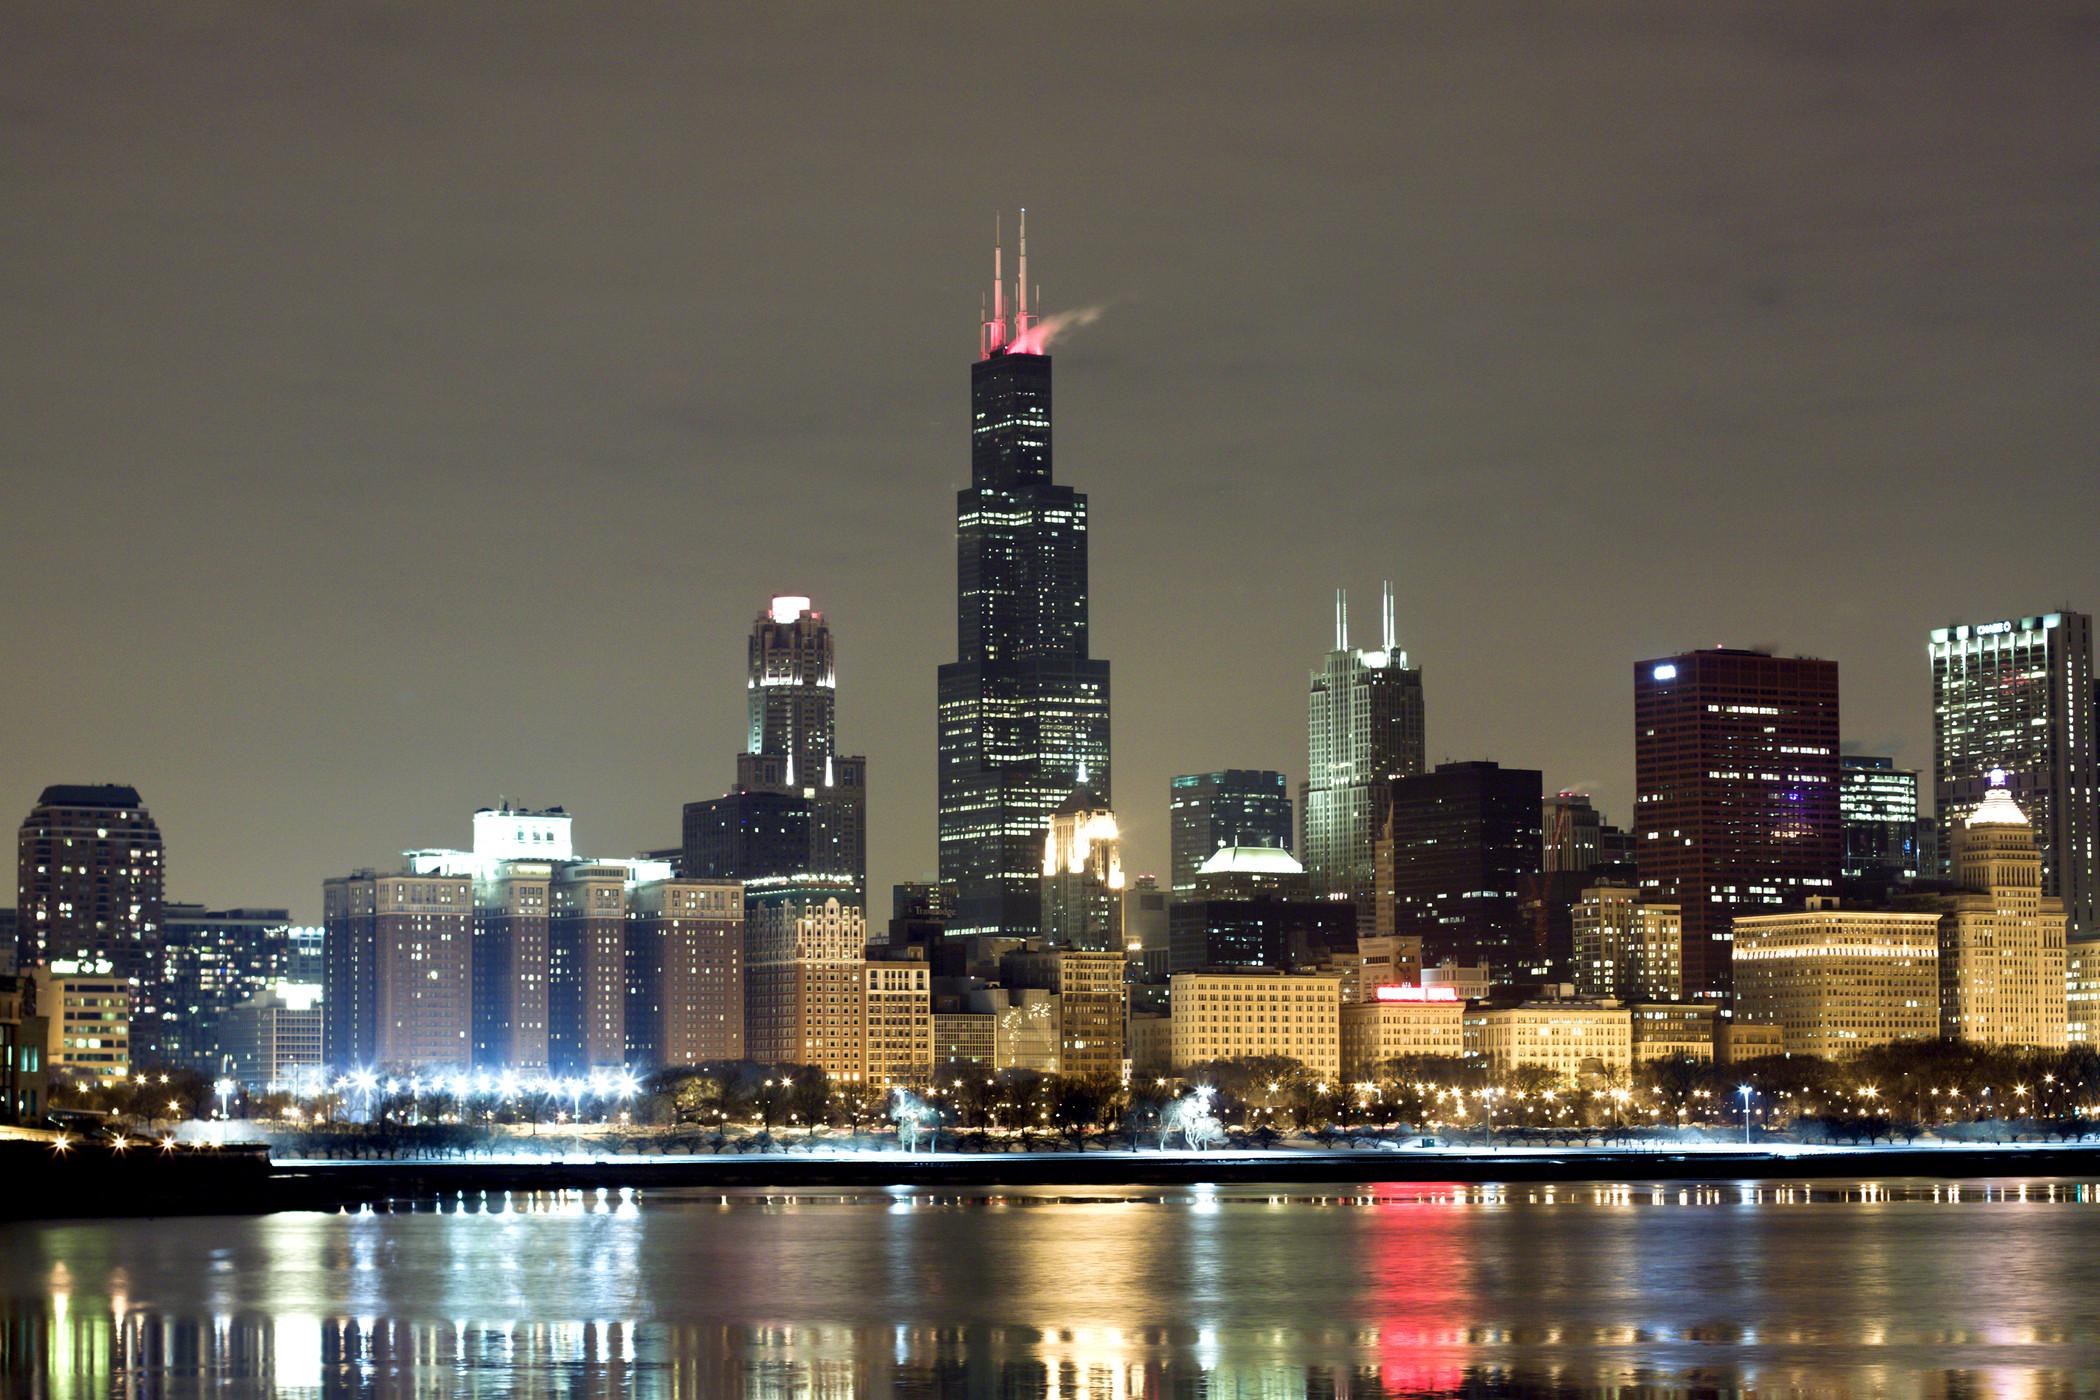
{"x":686,"y":973}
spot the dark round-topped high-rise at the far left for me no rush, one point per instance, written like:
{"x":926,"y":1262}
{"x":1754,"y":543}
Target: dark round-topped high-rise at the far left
{"x":89,"y":885}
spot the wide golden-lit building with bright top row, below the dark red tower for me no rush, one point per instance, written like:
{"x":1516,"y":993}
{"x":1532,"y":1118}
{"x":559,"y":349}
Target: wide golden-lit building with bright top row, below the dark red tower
{"x":1839,"y":981}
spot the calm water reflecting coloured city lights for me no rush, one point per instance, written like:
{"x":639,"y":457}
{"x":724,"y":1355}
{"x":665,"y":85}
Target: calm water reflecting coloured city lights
{"x":1828,"y":1290}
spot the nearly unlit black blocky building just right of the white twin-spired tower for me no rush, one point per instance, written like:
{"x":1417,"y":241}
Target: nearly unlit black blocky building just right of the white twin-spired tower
{"x":1456,"y":851}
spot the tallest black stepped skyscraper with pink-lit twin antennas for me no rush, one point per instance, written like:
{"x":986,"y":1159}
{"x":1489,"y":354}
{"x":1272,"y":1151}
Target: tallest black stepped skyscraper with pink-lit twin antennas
{"x":1024,"y":708}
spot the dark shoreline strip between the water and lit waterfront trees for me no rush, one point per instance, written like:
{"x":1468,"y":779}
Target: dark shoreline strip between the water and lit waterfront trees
{"x":247,"y":1183}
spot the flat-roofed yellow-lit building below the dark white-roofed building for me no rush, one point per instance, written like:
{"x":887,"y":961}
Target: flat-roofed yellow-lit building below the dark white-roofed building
{"x":1246,"y":1015}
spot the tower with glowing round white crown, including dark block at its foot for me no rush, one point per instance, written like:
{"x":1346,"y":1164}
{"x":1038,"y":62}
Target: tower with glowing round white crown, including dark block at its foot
{"x":797,"y":822}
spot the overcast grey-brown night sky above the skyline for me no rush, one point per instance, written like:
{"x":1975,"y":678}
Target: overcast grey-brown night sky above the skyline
{"x":411,"y":406}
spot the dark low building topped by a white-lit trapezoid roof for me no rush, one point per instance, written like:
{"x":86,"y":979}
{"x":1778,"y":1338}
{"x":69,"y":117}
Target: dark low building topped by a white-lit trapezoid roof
{"x":1253,"y":908}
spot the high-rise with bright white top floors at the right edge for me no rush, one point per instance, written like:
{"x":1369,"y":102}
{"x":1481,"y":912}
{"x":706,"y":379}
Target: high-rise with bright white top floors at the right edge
{"x":2017,"y":698}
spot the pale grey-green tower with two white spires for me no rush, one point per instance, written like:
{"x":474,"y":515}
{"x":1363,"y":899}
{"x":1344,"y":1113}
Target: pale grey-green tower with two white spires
{"x":1364,"y":729}
